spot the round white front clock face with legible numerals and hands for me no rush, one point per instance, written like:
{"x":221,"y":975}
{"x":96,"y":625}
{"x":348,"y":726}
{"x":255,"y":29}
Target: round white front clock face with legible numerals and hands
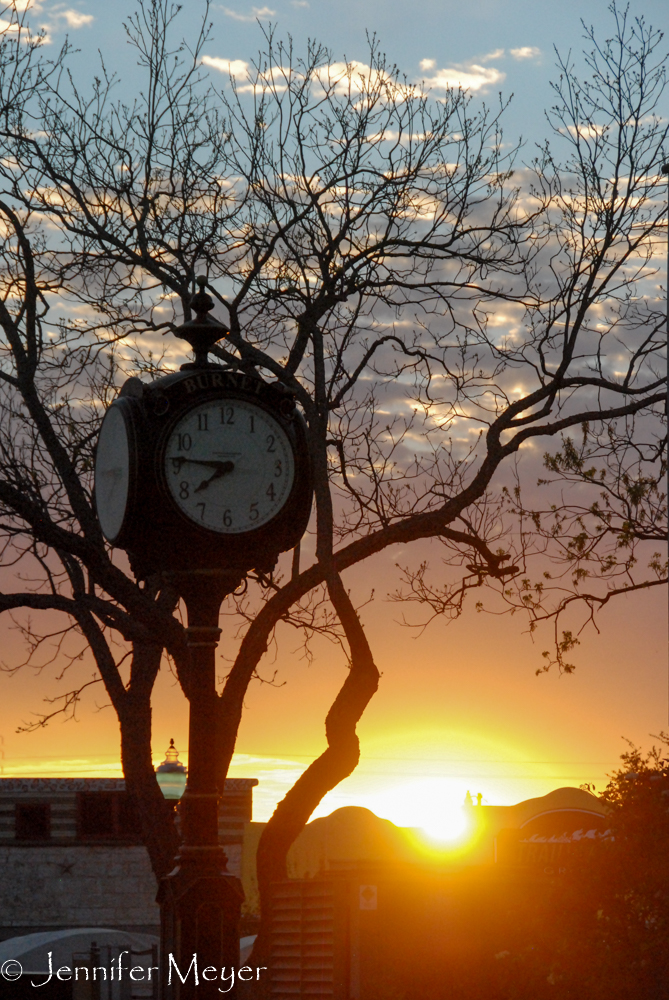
{"x":229,"y":466}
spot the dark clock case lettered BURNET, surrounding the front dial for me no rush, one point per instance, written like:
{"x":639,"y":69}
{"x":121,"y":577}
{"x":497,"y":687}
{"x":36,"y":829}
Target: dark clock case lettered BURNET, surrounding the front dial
{"x":157,"y":535}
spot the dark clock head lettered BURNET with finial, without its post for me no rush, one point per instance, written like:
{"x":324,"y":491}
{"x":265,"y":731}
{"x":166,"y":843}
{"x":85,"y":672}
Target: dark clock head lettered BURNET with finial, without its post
{"x":205,"y":468}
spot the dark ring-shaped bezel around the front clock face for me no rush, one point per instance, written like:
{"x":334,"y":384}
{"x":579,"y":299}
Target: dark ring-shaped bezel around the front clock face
{"x":204,"y":398}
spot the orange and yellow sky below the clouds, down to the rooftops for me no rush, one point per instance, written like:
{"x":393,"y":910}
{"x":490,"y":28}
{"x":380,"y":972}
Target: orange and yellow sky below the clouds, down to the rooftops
{"x":458,"y":708}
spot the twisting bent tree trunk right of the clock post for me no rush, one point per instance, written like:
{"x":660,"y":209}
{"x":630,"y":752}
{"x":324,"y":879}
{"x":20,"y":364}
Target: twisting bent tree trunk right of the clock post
{"x":334,"y":764}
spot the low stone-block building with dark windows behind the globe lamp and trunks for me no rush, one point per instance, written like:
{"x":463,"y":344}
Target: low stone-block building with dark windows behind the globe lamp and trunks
{"x":71,"y":854}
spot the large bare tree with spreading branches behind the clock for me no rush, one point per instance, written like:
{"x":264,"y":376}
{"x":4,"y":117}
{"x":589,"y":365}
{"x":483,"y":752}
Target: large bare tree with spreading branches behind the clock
{"x":358,"y":237}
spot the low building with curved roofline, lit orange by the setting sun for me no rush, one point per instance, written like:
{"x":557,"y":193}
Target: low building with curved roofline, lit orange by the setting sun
{"x":378,"y":916}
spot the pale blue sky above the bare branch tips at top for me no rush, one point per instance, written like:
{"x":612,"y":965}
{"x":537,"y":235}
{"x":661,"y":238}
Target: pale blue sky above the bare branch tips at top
{"x":494,"y":45}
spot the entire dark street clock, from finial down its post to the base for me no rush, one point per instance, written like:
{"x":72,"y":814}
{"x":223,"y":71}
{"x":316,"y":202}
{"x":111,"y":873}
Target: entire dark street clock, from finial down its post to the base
{"x":202,"y":476}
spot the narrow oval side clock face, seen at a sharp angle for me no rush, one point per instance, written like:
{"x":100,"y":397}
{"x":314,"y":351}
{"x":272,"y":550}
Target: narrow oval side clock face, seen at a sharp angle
{"x":112,"y":473}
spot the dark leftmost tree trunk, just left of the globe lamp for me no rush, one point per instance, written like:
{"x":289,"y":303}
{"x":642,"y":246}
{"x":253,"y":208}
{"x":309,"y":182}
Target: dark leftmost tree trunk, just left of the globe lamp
{"x":159,"y":832}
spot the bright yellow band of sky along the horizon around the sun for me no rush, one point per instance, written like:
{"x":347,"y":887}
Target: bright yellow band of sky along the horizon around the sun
{"x":416,"y":778}
